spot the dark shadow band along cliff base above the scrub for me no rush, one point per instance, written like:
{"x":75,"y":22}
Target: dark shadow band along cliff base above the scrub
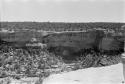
{"x":69,"y":55}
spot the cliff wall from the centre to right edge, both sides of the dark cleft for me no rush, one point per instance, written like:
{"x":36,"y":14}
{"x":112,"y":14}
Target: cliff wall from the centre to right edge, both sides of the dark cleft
{"x":70,"y":42}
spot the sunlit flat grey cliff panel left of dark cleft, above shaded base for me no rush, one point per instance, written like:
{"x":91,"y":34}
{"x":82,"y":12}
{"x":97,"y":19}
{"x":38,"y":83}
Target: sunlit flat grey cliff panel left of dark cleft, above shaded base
{"x":76,"y":39}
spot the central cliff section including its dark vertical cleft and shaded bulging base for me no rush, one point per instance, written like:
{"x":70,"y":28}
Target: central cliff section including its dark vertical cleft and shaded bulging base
{"x":70,"y":42}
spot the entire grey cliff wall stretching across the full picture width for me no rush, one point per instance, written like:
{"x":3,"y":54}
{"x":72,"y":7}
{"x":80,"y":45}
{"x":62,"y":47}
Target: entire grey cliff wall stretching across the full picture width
{"x":67,"y":43}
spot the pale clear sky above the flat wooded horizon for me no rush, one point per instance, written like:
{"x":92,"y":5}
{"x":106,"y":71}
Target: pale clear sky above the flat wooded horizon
{"x":63,"y":10}
